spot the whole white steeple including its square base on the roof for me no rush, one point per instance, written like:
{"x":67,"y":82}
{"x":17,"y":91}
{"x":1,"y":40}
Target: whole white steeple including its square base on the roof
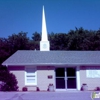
{"x":44,"y":43}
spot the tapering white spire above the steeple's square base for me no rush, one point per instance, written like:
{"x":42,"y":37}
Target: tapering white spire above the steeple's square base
{"x":44,"y":29}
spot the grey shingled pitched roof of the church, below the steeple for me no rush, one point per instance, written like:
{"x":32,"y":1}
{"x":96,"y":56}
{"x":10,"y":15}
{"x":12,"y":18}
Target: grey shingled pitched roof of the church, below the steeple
{"x":30,"y":57}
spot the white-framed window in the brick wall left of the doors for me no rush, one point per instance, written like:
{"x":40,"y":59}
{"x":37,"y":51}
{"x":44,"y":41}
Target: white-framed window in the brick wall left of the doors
{"x":30,"y":76}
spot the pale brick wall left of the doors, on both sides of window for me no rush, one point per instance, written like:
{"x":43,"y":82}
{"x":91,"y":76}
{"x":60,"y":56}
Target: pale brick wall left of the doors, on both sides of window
{"x":43,"y":72}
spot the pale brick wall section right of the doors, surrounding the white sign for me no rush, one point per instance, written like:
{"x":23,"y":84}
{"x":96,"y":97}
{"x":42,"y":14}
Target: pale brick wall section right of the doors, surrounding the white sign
{"x":92,"y":82}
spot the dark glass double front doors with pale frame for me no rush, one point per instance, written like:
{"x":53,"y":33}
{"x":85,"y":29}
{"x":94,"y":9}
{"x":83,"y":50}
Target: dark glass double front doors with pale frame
{"x":66,"y":78}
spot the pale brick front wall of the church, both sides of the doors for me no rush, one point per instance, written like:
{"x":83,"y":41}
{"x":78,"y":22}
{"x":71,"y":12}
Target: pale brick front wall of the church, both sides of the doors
{"x":46,"y":76}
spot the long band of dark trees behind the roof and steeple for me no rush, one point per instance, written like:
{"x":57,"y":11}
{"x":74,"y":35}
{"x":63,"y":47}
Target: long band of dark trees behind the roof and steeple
{"x":78,"y":39}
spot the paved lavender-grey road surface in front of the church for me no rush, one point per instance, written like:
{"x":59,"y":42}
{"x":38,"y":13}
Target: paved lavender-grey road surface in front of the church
{"x":78,"y":95}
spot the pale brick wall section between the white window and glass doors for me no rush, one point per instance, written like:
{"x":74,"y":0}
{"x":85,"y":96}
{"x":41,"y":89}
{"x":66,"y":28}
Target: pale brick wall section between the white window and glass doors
{"x":45,"y":76}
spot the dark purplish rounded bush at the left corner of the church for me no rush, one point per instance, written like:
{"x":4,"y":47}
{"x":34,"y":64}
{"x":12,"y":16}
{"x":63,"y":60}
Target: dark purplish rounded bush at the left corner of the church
{"x":9,"y":80}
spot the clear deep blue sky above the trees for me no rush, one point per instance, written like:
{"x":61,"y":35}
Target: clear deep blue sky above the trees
{"x":61,"y":16}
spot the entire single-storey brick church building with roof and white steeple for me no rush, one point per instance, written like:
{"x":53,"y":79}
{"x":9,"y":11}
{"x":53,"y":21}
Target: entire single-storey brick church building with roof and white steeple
{"x":66,"y":70}
